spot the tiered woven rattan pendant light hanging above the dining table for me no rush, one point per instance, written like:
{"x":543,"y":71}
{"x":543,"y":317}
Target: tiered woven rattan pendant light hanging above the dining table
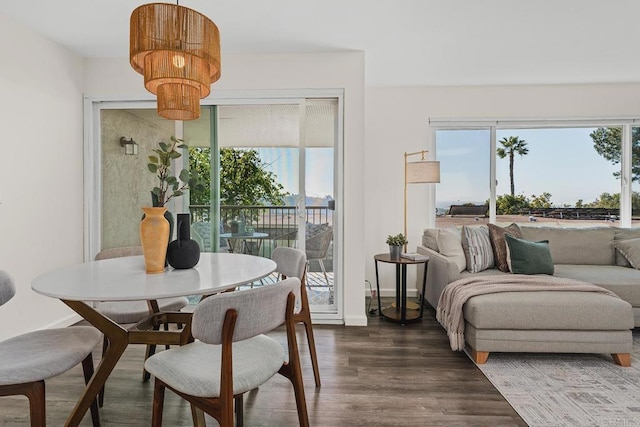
{"x":177,"y":50}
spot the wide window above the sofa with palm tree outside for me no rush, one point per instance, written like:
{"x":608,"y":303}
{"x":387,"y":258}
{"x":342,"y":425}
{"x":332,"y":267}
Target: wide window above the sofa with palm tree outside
{"x":563,"y":173}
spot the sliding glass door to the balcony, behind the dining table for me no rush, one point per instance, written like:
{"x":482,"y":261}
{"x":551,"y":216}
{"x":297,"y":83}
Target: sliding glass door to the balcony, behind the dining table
{"x":269,"y":172}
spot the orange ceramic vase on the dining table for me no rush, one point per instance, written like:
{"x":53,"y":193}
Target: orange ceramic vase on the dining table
{"x":154,"y":236}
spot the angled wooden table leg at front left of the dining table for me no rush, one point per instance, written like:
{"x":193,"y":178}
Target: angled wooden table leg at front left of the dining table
{"x":118,"y":341}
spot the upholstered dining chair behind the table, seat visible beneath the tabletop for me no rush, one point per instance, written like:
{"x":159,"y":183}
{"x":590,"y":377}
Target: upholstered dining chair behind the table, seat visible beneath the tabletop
{"x":128,"y":312}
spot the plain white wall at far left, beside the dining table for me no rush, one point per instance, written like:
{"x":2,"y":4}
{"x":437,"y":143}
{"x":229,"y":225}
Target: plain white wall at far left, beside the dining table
{"x":41,"y":174}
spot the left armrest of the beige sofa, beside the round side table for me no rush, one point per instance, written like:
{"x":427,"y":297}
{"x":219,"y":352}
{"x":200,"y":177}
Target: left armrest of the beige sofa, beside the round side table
{"x":440,"y":272}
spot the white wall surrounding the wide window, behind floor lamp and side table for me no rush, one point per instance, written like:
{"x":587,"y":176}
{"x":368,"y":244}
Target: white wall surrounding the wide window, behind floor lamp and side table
{"x":397,"y":121}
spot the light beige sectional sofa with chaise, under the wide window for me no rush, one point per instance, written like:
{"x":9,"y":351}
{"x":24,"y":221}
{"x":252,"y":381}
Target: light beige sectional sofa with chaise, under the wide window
{"x":545,"y":321}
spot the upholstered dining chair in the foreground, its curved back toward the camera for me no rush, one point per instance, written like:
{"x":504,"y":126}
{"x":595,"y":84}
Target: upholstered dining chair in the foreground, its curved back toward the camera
{"x":231,"y":354}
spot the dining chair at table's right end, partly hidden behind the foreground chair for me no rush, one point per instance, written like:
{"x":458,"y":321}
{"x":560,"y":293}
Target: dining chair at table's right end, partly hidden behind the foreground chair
{"x":292,"y":262}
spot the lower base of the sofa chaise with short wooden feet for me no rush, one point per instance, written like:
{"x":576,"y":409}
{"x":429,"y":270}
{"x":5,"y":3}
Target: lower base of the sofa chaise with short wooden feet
{"x":482,"y":342}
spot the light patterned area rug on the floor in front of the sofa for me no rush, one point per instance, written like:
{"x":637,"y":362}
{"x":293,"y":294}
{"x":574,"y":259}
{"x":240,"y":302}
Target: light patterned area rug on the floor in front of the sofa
{"x":568,"y":389}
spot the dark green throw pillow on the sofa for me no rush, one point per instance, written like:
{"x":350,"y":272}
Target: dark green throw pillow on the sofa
{"x":526,"y":257}
